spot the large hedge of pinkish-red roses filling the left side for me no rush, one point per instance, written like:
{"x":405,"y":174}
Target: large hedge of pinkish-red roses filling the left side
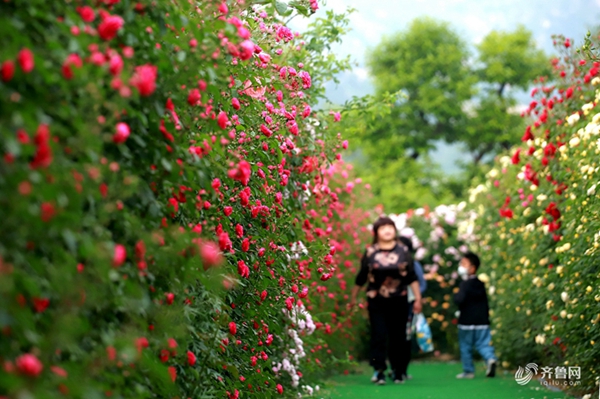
{"x":165,"y":198}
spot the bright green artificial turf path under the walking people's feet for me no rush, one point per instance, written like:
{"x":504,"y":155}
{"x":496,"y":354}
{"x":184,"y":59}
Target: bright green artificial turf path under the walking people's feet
{"x":438,"y":380}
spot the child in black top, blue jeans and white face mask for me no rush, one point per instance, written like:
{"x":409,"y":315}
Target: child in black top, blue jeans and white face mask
{"x":473,"y":322}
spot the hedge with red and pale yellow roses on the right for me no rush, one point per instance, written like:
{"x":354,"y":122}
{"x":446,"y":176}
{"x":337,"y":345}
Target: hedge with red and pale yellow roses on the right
{"x":539,"y":228}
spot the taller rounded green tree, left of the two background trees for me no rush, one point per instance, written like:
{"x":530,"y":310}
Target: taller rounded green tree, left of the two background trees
{"x":428,"y":63}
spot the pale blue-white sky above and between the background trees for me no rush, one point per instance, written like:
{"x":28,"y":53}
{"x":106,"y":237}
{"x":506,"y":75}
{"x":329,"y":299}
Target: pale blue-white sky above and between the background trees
{"x":472,"y":19}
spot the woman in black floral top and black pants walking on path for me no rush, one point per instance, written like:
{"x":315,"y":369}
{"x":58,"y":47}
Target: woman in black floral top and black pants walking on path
{"x":388,"y":269}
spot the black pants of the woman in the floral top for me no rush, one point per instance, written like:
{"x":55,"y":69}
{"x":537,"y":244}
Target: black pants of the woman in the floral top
{"x":388,"y":317}
